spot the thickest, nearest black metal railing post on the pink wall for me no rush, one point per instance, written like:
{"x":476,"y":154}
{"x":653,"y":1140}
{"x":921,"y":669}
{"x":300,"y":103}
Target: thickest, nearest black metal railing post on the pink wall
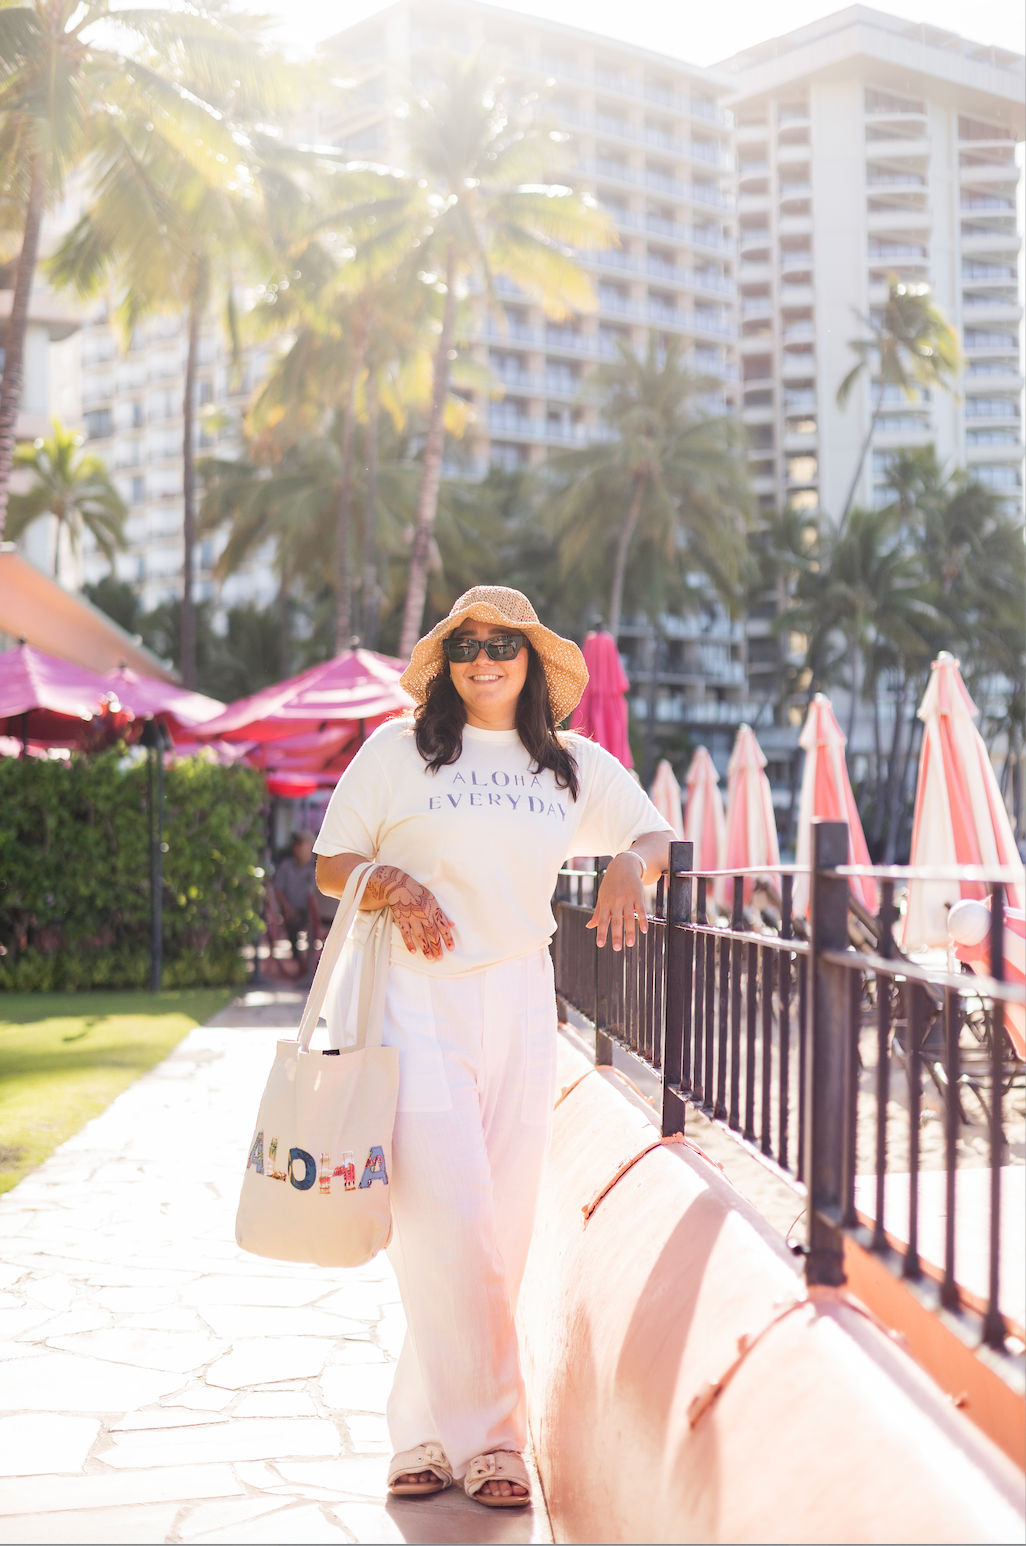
{"x":827,"y":1037}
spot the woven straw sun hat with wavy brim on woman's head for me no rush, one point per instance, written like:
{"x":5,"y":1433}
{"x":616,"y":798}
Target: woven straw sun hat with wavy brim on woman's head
{"x":494,"y":604}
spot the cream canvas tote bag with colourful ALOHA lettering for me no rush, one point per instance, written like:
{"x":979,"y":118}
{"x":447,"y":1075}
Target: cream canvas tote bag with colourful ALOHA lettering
{"x":319,"y":1171}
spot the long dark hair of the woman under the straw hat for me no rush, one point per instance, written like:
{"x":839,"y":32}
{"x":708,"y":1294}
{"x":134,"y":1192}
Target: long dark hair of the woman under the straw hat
{"x":441,"y":720}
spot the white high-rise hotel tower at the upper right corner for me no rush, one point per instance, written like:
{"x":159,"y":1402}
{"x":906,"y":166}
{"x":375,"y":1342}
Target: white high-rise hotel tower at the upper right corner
{"x":869,"y":146}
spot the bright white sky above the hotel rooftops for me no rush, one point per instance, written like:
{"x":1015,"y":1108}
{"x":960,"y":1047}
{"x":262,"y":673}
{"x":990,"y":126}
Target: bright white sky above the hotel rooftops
{"x":699,"y":35}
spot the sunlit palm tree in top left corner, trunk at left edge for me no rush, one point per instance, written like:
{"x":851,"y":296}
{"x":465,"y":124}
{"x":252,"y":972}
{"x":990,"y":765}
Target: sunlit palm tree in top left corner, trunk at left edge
{"x":72,"y":77}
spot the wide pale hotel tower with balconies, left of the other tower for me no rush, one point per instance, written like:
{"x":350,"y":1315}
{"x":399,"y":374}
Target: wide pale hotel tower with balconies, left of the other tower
{"x":651,"y":141}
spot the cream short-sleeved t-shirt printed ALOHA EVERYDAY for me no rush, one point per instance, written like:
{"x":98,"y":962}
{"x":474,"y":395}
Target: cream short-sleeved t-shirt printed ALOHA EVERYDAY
{"x":486,"y":836}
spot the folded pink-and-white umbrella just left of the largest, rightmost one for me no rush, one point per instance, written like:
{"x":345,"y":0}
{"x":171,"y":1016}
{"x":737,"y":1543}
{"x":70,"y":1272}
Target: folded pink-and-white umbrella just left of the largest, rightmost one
{"x":827,"y":794}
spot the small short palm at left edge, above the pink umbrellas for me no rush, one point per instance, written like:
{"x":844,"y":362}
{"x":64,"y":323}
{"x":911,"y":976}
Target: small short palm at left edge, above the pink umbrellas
{"x":72,"y":486}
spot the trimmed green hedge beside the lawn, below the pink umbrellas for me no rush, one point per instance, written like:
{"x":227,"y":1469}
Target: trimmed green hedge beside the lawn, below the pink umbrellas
{"x":75,"y":873}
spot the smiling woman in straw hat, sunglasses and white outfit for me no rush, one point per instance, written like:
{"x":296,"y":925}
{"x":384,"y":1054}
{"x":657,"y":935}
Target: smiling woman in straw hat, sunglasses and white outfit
{"x":471,"y":809}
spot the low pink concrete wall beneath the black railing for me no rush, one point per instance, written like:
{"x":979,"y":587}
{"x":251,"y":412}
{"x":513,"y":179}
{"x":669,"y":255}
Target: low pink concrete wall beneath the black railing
{"x":829,"y":1431}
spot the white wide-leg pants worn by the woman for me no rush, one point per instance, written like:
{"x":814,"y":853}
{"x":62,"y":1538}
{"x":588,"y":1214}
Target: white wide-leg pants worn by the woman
{"x":477,"y":1088}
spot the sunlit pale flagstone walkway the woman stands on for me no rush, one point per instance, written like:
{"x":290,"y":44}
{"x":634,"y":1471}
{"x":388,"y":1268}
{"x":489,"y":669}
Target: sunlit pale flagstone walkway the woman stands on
{"x":158,"y":1384}
